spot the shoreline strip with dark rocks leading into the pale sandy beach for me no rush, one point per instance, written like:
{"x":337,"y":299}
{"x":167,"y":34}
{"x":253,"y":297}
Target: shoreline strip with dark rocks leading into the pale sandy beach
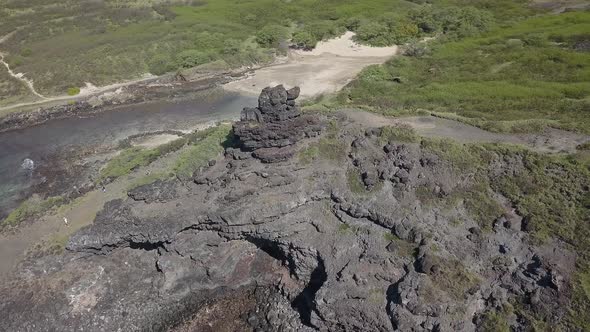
{"x":326,"y":69}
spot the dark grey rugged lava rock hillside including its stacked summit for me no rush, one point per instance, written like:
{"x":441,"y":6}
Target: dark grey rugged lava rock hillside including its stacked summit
{"x":255,"y":246}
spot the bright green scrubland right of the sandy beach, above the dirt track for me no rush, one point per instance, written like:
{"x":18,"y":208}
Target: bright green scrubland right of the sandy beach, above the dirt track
{"x":514,"y":78}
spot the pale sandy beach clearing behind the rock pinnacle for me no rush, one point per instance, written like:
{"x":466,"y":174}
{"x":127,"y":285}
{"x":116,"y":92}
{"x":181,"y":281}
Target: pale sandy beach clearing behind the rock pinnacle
{"x":326,"y":69}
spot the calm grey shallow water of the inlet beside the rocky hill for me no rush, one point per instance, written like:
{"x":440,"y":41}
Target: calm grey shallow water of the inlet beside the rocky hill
{"x":41,"y":142}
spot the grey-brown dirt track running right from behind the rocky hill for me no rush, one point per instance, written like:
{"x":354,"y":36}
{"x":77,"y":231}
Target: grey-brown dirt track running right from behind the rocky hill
{"x":550,"y":141}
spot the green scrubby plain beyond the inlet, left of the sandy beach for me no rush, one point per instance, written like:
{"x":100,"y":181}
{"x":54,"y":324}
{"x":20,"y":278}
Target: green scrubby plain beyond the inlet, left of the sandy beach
{"x":66,"y":43}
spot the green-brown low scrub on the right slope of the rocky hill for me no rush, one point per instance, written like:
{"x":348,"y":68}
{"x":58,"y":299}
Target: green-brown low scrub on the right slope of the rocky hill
{"x":551,"y":193}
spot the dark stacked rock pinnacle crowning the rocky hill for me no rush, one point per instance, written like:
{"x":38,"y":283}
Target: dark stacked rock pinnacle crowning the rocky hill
{"x":270,"y":130}
